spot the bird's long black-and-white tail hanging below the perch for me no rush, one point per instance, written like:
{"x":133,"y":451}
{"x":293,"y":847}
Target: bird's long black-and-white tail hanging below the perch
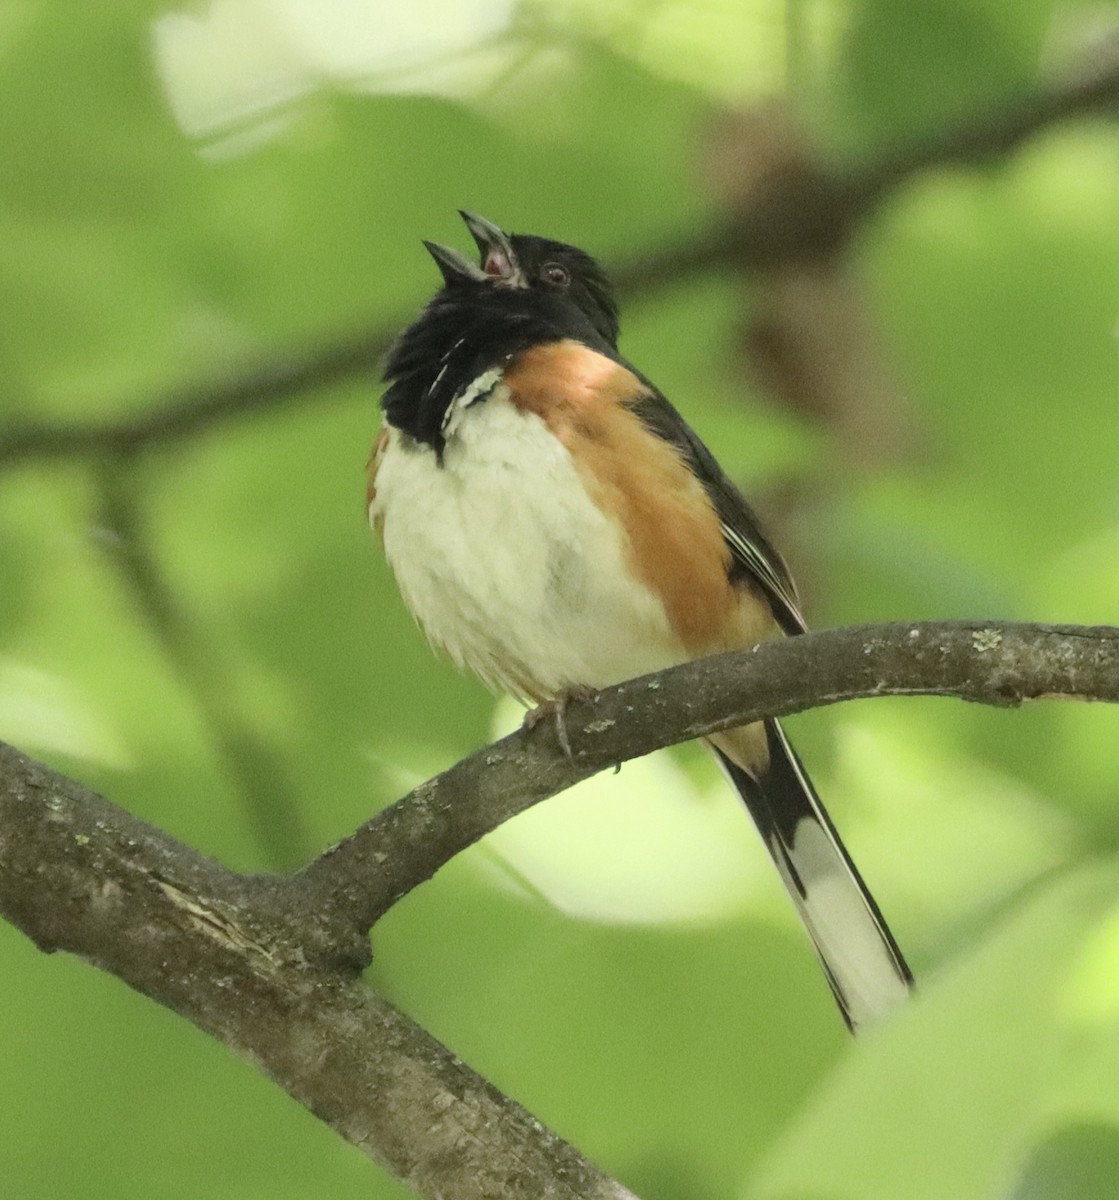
{"x":864,"y":965}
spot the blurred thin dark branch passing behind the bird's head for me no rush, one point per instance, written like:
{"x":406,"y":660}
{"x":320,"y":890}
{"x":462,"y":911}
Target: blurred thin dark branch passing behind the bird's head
{"x":805,"y":215}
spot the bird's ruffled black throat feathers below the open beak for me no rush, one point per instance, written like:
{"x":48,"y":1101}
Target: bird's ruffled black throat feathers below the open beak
{"x":464,"y":332}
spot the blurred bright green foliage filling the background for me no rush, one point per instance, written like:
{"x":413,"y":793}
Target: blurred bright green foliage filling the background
{"x":207,"y":634}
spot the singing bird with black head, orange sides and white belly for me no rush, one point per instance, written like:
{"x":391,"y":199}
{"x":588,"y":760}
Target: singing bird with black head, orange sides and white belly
{"x":556,"y":527}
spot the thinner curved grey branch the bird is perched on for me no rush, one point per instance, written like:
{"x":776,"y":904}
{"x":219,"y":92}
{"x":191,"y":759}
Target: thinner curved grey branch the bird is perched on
{"x":986,"y":663}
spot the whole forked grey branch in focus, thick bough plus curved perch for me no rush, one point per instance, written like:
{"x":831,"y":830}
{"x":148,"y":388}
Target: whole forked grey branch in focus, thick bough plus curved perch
{"x":270,"y":965}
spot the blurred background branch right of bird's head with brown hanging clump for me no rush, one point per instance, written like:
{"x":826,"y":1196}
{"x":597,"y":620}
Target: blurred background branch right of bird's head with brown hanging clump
{"x":810,"y":341}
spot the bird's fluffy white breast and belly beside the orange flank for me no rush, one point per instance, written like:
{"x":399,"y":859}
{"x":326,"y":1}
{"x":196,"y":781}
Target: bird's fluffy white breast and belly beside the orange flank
{"x":508,"y":566}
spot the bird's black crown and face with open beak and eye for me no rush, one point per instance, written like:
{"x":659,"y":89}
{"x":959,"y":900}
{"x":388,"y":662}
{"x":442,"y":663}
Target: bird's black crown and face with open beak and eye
{"x":554,"y":274}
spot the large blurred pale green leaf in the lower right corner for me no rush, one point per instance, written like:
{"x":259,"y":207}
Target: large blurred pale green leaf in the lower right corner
{"x":972,"y":1067}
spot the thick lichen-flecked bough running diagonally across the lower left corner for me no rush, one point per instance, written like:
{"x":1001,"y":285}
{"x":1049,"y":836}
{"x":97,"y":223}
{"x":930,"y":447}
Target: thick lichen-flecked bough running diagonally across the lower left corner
{"x":231,"y":955}
